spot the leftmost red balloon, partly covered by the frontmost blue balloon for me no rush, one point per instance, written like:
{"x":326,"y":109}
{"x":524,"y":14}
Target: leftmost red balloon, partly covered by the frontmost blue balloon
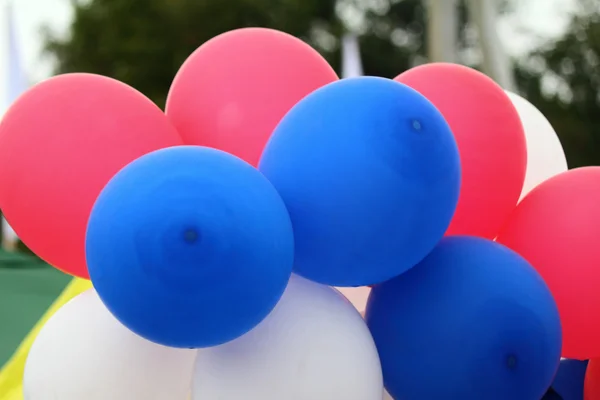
{"x":60,"y":143}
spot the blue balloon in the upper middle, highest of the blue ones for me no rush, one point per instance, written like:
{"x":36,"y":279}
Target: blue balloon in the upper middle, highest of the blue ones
{"x":370,"y":174}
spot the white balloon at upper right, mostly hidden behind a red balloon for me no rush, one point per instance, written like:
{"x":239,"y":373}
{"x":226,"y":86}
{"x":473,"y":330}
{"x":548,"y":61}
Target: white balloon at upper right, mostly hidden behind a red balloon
{"x":545,"y":155}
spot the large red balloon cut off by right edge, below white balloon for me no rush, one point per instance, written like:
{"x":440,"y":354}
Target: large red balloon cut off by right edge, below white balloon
{"x":556,"y":228}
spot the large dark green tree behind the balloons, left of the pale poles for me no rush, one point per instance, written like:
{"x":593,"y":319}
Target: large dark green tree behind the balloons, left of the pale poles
{"x":143,"y":42}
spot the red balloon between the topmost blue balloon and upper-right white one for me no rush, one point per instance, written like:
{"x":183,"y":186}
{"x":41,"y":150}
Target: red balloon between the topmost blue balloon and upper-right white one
{"x":490,"y":139}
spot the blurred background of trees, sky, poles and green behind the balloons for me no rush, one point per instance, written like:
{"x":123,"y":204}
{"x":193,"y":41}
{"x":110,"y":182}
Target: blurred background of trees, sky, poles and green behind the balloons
{"x":547,"y":50}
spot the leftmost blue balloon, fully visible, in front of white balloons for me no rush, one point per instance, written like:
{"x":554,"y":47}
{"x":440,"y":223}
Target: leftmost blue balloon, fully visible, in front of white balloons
{"x":189,"y":247}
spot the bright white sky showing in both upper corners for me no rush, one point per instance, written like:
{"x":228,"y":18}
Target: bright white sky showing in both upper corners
{"x":520,"y":32}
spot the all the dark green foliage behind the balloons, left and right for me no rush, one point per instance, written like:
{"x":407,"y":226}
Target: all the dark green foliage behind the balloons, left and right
{"x":143,"y":43}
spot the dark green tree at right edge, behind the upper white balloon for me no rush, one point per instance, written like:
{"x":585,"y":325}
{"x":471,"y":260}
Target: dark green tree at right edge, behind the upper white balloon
{"x":563,"y":80}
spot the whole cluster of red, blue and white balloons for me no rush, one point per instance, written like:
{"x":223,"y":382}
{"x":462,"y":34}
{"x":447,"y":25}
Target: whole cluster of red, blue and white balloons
{"x":213,"y":232}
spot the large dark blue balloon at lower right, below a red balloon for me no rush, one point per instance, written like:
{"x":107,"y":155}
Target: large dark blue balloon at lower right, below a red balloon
{"x":472,"y":321}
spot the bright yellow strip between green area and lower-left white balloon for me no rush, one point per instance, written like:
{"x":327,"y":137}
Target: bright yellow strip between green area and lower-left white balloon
{"x":11,"y":375}
